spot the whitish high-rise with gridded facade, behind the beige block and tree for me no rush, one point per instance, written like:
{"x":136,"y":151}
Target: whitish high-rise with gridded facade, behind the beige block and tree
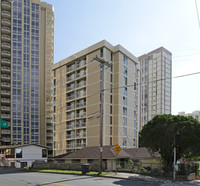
{"x":156,"y":83}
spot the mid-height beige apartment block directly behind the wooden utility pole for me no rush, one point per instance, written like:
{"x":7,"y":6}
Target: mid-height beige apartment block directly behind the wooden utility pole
{"x":77,"y":83}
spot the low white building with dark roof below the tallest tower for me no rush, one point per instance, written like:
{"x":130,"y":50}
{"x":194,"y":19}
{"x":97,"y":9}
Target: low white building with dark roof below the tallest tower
{"x":20,"y":156}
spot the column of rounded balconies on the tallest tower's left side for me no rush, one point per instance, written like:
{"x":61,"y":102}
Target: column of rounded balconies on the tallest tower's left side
{"x":5,"y":68}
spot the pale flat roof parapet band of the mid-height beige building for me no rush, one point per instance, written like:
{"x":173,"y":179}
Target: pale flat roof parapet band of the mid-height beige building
{"x":93,"y":48}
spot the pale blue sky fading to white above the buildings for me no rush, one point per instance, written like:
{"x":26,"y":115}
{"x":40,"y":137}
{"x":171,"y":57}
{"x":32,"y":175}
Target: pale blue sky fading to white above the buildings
{"x":140,"y":27}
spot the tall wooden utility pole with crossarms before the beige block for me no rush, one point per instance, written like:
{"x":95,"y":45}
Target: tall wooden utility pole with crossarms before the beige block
{"x":103,"y":63}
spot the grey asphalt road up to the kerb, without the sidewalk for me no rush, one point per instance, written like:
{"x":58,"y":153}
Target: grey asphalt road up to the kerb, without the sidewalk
{"x":12,"y":177}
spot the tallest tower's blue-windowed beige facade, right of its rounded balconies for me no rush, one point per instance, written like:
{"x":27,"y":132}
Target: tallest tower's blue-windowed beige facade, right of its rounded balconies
{"x":30,"y":82}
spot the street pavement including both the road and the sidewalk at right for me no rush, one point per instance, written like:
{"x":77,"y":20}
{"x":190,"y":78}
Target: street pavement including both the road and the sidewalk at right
{"x":14,"y":177}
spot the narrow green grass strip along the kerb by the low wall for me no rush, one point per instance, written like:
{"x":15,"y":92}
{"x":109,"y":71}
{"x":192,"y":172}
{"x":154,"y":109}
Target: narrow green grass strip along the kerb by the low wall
{"x":66,"y":172}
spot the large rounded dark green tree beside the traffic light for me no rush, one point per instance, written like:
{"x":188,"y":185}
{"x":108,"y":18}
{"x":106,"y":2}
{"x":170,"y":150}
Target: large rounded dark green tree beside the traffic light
{"x":158,"y":135}
